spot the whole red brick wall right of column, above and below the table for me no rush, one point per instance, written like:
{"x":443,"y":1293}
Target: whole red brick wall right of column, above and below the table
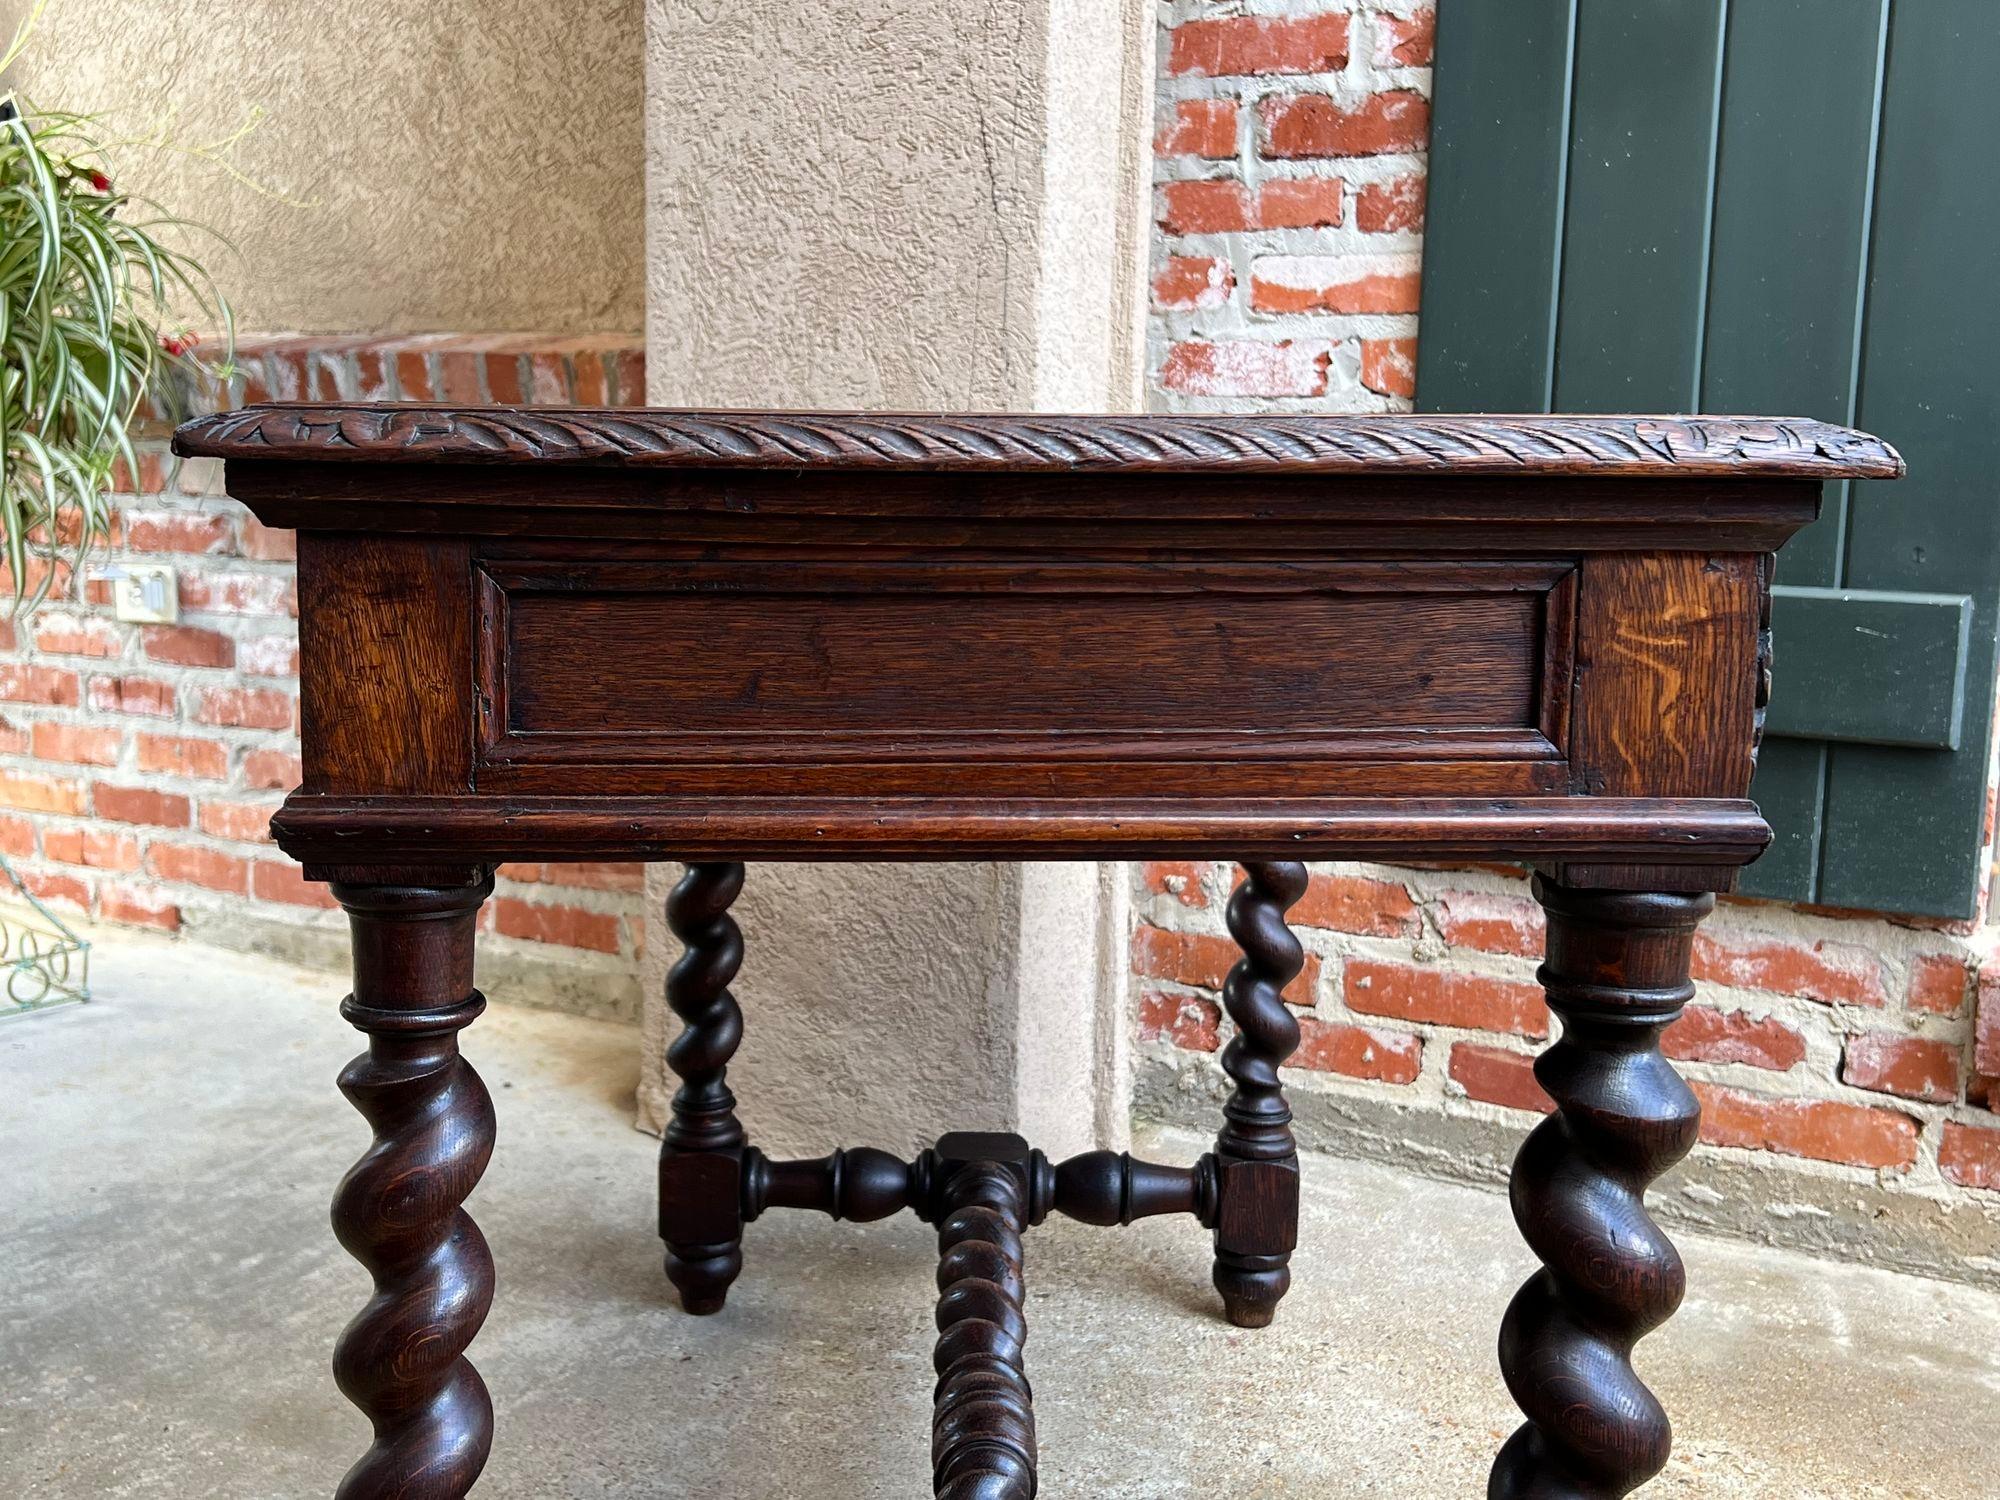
{"x":1287,"y":265}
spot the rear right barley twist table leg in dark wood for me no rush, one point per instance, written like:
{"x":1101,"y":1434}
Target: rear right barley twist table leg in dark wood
{"x":1257,"y":1159}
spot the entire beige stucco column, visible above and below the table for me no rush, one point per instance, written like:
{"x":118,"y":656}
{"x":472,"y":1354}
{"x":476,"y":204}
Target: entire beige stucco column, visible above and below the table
{"x":905,"y":205}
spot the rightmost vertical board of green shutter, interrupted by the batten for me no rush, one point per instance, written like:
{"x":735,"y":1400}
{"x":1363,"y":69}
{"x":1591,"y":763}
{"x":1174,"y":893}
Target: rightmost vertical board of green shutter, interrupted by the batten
{"x":1905,"y":829}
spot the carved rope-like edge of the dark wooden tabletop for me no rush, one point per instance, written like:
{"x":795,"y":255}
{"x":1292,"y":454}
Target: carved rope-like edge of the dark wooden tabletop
{"x":1611,"y":447}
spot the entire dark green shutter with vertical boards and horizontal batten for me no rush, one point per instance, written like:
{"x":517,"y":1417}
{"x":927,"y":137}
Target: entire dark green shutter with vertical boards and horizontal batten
{"x":1785,"y":207}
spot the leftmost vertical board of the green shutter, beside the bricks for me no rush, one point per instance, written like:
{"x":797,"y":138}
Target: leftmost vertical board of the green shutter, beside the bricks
{"x":1499,"y":147}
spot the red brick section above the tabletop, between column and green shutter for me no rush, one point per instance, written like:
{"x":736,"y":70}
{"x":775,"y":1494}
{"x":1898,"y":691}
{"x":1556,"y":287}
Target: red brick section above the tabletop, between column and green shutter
{"x":1289,"y":195}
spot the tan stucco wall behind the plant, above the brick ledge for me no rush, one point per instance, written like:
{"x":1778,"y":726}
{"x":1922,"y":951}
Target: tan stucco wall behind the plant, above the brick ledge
{"x":461,"y":165}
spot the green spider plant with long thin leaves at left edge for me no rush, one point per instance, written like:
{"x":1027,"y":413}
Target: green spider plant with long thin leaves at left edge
{"x":89,"y":333}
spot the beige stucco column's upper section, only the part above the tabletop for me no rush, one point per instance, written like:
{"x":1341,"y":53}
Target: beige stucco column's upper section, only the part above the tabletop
{"x":863,"y":205}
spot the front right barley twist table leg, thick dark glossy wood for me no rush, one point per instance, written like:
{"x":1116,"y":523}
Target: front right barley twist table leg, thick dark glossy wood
{"x":1617,"y":975}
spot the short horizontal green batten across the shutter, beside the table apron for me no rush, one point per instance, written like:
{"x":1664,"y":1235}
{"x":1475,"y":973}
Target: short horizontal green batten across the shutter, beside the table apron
{"x":1871,"y":667}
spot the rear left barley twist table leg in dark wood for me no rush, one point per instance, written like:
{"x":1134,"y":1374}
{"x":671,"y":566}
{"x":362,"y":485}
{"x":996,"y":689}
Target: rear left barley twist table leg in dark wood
{"x":701,"y":1159}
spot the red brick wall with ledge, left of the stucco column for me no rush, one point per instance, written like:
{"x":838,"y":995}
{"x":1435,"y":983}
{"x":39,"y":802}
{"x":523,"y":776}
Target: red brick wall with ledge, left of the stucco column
{"x":141,"y":765}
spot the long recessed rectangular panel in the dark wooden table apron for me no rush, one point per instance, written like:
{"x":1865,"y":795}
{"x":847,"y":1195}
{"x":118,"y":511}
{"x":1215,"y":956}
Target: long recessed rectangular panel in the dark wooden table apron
{"x":937,"y":653}
